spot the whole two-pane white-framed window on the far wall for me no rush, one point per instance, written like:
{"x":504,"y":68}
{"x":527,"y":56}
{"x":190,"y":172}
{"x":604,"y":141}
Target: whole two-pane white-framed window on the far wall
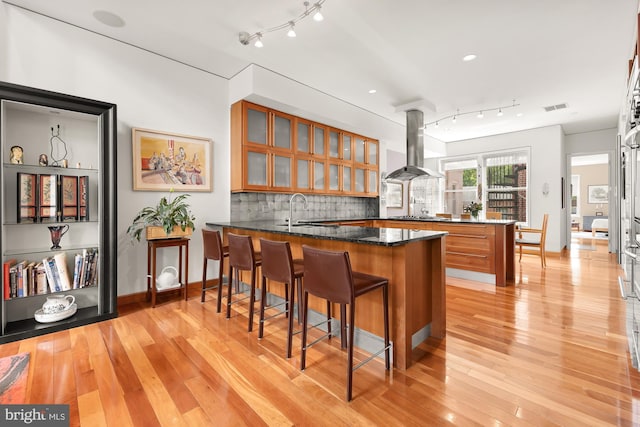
{"x":503,"y":175}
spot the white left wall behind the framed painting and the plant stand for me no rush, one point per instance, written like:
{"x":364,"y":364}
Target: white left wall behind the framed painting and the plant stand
{"x":150,"y":92}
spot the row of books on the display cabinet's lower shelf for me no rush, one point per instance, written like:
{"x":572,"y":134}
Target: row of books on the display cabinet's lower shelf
{"x":26,"y":278}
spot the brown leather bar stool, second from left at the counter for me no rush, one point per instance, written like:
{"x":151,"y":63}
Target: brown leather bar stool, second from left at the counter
{"x":242,"y":257}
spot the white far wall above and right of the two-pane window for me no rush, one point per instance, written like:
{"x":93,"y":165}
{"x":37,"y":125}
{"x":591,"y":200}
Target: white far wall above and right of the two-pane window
{"x":547,"y":165}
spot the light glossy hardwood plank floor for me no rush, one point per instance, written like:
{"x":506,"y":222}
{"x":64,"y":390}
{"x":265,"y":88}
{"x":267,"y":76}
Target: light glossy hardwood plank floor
{"x":551,"y":350}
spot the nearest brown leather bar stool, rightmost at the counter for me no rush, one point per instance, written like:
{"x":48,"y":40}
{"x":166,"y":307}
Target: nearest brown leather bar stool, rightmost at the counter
{"x":328,"y":275}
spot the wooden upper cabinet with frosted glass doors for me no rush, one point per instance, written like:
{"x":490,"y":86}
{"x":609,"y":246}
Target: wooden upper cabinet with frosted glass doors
{"x":274,"y":151}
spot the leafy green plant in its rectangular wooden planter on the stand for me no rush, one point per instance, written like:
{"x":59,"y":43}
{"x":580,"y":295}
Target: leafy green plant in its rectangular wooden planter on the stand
{"x":169,"y":218}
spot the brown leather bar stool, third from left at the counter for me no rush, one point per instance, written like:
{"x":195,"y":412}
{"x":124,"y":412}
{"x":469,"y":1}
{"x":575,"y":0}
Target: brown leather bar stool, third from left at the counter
{"x":279,"y":266}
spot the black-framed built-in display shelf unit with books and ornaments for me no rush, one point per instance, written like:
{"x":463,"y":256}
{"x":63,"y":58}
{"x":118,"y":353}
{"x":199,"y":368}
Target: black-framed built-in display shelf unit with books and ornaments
{"x":87,"y":128}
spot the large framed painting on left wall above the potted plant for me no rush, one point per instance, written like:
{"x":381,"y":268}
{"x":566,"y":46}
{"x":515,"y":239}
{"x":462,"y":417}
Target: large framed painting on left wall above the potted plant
{"x":165,"y":161}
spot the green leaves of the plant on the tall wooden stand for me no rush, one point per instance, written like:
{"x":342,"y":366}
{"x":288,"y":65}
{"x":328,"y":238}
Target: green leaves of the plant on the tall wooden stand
{"x":167,"y":214}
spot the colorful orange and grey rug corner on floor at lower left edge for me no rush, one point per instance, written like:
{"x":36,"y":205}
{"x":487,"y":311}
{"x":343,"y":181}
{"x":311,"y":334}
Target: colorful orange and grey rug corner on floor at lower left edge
{"x":14,"y":371}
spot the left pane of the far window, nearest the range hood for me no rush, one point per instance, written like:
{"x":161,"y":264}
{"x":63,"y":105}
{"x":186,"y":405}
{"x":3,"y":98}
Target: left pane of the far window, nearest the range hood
{"x":460,"y":184}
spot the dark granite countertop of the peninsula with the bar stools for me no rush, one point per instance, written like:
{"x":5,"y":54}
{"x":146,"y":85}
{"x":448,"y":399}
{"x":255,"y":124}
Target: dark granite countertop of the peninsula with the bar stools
{"x":322,"y":230}
